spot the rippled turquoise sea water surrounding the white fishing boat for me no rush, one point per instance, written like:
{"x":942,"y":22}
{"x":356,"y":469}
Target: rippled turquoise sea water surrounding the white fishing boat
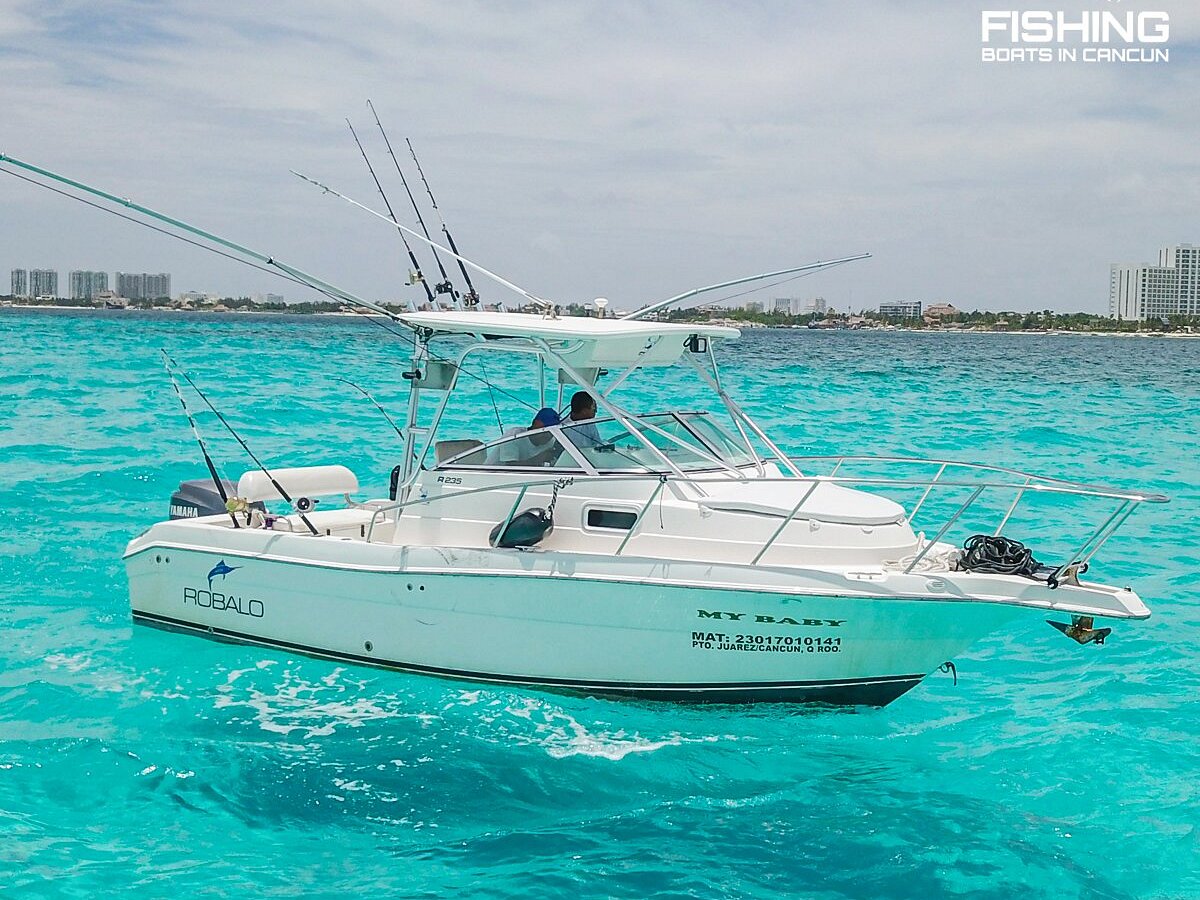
{"x":145,"y":764}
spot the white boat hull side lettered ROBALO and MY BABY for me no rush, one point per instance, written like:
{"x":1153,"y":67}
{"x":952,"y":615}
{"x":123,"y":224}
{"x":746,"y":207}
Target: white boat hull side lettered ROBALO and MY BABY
{"x":550,"y":622}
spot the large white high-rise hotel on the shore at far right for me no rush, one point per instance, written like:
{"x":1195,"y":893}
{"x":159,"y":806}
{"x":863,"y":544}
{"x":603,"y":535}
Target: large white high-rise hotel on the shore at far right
{"x":1171,"y":289}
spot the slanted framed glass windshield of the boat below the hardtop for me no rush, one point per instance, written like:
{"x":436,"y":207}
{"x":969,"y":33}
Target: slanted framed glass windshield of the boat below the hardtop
{"x":691,"y":441}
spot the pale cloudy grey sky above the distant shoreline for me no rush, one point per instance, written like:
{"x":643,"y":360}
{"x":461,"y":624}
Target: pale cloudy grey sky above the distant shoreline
{"x":629,"y":151}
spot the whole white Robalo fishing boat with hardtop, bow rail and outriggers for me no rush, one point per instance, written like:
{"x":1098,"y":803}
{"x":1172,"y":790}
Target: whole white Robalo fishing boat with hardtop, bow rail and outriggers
{"x":671,"y":554}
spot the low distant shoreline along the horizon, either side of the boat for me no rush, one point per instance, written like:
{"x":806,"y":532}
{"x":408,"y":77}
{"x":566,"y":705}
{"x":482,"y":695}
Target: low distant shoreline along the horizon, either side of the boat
{"x":223,"y":315}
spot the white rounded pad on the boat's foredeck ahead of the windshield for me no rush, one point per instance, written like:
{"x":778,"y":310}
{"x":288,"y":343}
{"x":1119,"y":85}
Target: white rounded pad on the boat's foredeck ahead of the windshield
{"x":829,"y":503}
